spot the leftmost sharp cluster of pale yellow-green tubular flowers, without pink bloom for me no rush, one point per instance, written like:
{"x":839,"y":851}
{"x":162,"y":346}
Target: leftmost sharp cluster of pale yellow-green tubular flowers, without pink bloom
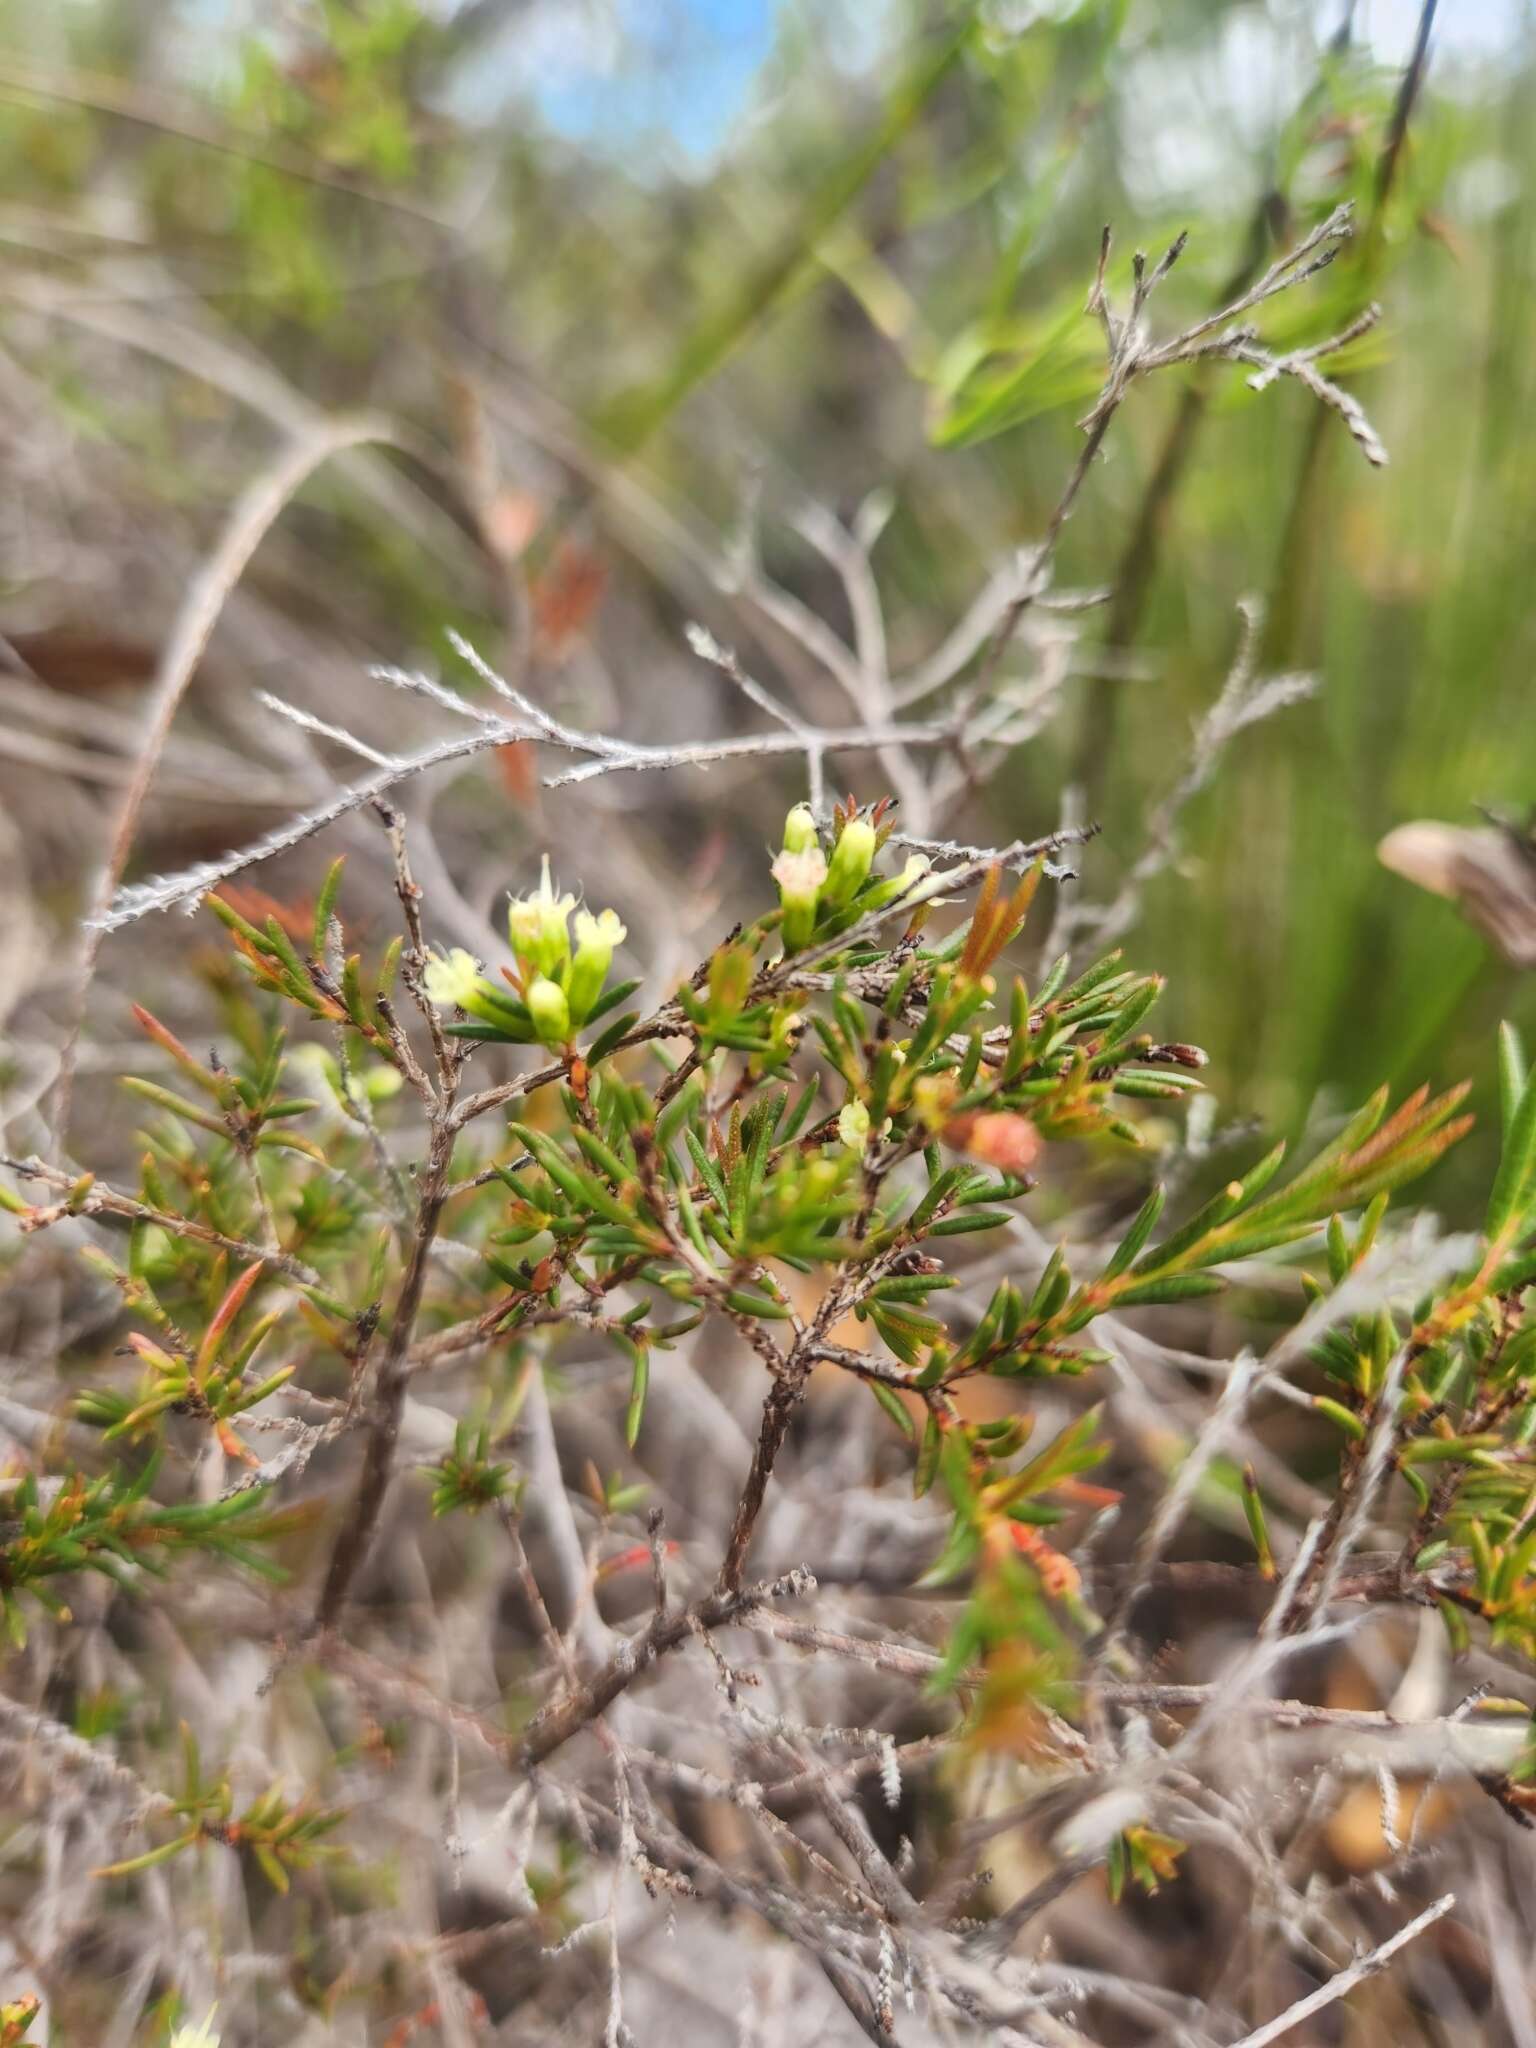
{"x":556,"y":986}
